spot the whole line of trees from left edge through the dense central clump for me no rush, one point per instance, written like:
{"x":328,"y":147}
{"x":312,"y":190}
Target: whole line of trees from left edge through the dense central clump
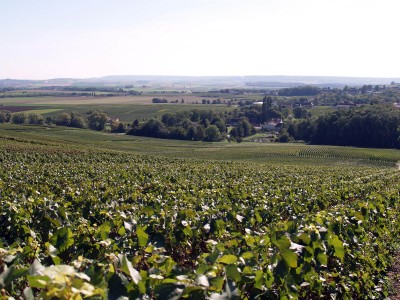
{"x":196,"y":125}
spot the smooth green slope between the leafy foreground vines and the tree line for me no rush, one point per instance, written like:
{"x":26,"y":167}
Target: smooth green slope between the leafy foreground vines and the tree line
{"x":272,"y":153}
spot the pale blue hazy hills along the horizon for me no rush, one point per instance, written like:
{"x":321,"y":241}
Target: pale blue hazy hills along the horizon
{"x":202,"y":82}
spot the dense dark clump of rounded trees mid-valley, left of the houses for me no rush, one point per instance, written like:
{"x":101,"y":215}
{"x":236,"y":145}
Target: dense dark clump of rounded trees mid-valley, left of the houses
{"x":197,"y":125}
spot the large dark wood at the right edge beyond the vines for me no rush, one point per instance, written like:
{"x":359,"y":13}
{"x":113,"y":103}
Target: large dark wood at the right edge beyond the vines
{"x":374,"y":126}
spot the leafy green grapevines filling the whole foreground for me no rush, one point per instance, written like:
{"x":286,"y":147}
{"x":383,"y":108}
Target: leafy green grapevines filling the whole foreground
{"x":80,"y":222}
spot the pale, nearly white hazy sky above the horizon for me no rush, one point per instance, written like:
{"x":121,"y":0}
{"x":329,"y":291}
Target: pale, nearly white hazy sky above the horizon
{"x":91,"y":38}
